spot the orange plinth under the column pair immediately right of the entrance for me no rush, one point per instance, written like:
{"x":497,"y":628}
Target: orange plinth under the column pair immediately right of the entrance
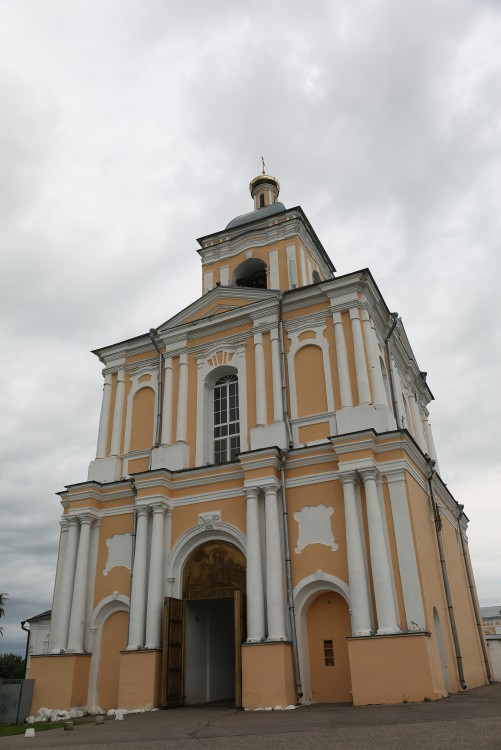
{"x":267,"y":675}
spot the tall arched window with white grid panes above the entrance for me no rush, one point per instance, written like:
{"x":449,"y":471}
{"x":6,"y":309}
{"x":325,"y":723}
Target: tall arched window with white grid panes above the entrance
{"x":226,"y":419}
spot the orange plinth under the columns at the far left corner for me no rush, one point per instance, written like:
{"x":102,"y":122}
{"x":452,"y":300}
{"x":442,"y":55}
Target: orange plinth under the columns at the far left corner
{"x":61,"y":681}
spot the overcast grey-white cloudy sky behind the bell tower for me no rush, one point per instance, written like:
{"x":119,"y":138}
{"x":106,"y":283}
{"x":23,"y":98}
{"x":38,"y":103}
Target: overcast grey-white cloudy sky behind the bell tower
{"x":130,"y":127}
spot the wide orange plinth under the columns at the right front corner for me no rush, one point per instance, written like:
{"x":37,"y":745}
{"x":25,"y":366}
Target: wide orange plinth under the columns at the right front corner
{"x":391,"y":669}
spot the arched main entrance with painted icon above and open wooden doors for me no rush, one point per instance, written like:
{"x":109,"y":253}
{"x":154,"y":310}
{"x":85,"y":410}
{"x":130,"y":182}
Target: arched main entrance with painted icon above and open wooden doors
{"x":203,"y":632}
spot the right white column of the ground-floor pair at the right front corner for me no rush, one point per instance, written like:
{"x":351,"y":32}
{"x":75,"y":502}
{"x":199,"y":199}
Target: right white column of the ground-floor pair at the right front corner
{"x":380,"y":563}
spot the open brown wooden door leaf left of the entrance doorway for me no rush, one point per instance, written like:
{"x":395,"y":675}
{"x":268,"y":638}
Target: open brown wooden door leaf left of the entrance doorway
{"x":173,"y":653}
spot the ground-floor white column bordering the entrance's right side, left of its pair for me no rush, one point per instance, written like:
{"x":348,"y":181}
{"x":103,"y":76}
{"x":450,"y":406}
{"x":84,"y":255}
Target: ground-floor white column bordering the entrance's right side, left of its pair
{"x":255,"y":593}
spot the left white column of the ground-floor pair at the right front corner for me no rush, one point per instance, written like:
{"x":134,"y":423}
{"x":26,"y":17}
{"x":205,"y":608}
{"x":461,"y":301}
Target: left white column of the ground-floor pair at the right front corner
{"x":359,"y":587}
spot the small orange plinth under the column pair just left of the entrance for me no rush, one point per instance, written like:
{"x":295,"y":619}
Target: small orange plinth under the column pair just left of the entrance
{"x":139,"y":685}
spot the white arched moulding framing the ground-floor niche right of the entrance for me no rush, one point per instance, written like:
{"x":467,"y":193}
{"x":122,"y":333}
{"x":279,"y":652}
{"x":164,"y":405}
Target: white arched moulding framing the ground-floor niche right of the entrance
{"x":304,"y":593}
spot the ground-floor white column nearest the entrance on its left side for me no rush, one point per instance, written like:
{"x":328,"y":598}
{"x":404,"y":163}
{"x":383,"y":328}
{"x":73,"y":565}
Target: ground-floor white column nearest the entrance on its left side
{"x":155,"y":598}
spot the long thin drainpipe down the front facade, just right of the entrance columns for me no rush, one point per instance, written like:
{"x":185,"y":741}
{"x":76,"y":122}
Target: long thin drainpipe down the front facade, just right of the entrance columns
{"x":285,"y":514}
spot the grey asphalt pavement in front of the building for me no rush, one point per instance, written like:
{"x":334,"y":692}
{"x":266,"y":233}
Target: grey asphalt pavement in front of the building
{"x":469,"y":720}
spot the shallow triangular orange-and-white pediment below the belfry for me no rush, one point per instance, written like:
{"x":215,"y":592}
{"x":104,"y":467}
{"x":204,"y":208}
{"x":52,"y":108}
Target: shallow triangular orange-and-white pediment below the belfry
{"x":217,"y":301}
